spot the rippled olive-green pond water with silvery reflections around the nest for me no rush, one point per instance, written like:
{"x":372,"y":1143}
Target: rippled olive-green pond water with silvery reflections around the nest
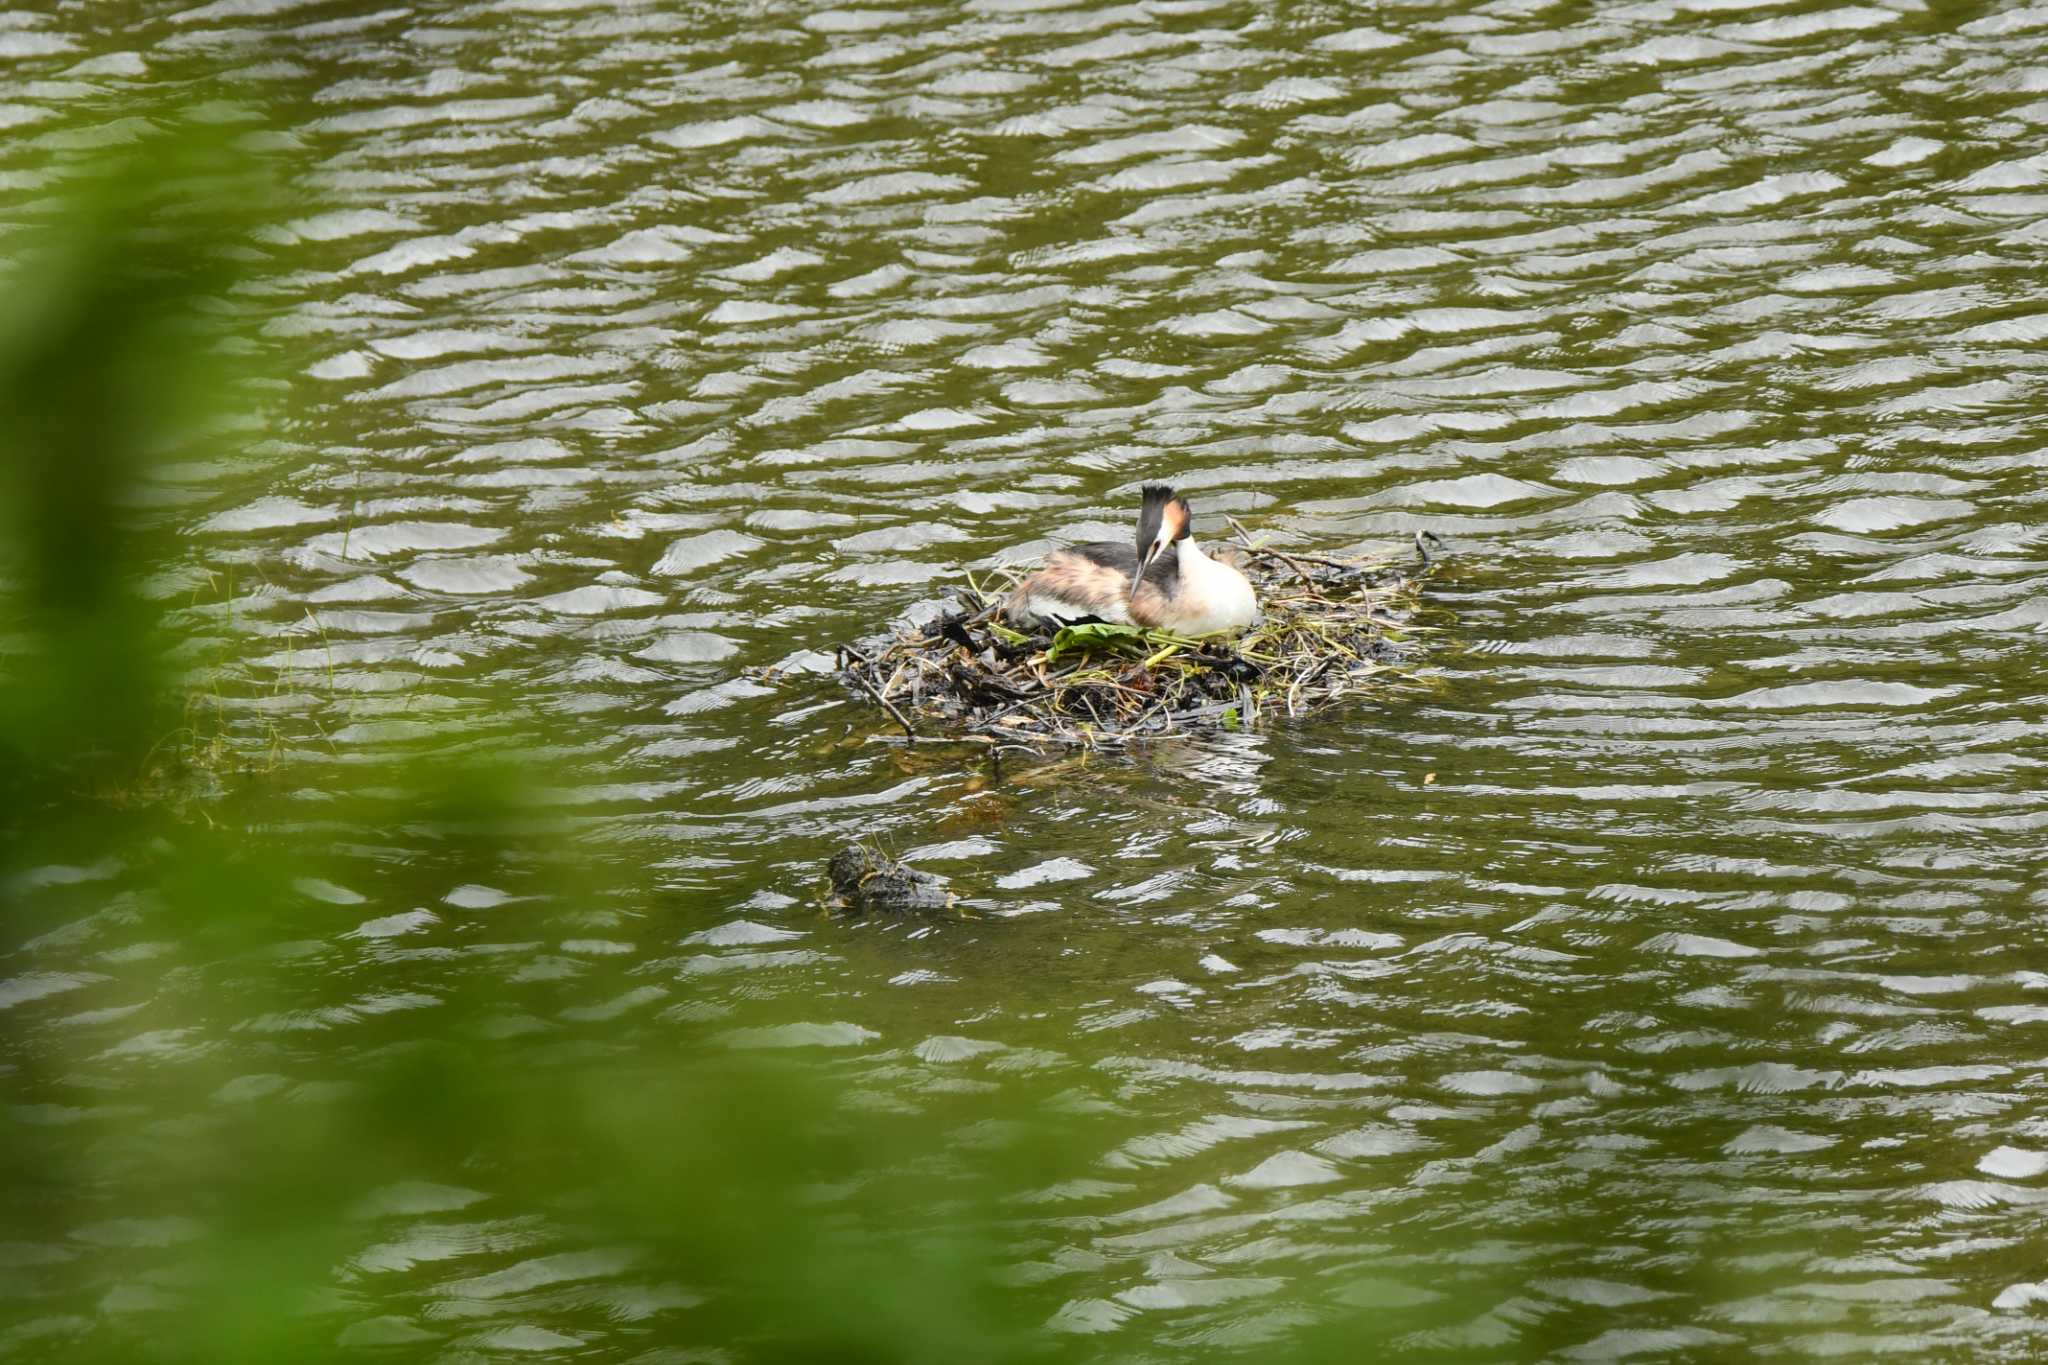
{"x":1668,"y":973}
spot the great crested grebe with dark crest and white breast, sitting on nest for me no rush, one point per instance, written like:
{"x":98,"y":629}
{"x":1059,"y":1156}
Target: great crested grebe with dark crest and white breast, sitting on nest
{"x":1166,"y":582}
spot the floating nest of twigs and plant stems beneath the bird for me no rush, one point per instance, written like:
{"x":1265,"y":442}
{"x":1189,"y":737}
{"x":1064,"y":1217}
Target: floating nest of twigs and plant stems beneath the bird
{"x":1332,"y":627}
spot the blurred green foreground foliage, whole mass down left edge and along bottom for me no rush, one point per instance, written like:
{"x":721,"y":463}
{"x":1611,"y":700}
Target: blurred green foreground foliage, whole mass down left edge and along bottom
{"x":800,"y":1223}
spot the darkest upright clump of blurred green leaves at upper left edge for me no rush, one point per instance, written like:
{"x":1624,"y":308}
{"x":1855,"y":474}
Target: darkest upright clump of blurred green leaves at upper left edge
{"x":110,"y":359}
